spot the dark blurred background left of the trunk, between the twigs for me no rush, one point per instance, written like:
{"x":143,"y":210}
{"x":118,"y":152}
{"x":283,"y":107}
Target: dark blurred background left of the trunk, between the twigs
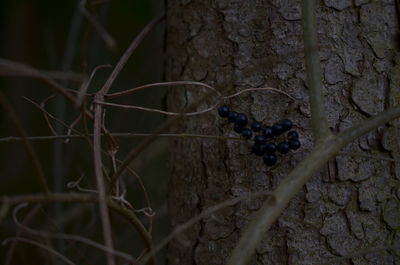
{"x":54,"y":36}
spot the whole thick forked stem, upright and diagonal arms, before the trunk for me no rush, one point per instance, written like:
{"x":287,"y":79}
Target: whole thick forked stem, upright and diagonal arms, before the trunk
{"x":326,"y":147}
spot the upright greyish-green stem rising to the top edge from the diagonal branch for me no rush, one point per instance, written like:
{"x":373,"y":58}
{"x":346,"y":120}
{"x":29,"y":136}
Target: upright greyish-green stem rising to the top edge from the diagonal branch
{"x":313,"y":69}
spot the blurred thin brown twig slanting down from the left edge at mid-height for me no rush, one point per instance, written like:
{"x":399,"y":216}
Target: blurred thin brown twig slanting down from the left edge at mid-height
{"x":31,"y":151}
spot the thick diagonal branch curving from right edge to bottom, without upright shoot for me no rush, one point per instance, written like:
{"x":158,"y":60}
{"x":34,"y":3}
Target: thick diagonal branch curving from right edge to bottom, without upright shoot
{"x":293,"y":183}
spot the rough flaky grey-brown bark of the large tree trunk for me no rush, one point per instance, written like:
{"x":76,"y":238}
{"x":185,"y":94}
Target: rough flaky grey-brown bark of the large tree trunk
{"x":353,"y":204}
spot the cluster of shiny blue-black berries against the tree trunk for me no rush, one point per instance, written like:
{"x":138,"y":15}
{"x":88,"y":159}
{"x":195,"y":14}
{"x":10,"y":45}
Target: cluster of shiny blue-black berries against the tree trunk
{"x":263,"y":144}
